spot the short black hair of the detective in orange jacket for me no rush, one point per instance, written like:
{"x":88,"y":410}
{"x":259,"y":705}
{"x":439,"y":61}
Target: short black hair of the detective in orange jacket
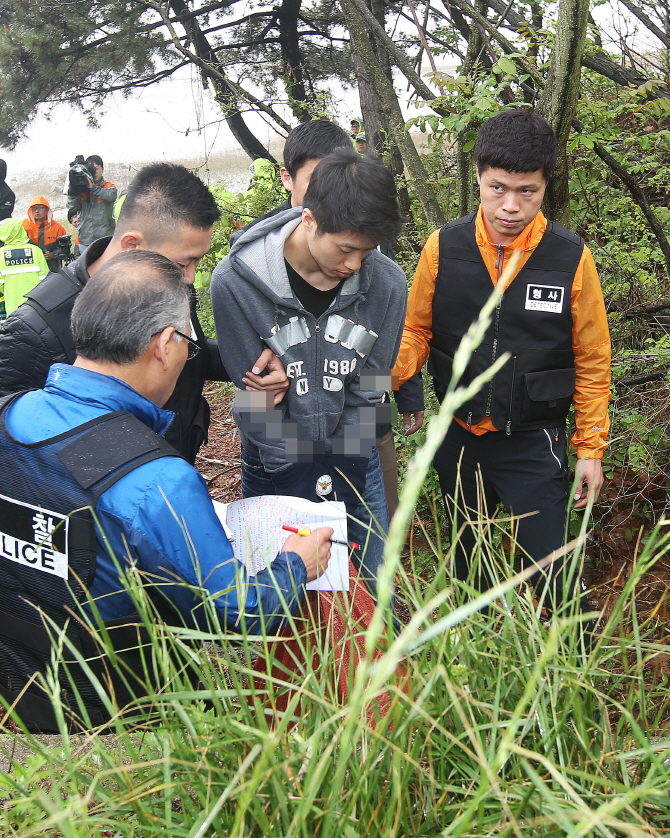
{"x":517,"y":141}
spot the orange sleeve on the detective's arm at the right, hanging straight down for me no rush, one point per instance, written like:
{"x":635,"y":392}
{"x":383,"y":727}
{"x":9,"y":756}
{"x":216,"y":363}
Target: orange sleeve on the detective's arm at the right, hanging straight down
{"x":593,"y":355}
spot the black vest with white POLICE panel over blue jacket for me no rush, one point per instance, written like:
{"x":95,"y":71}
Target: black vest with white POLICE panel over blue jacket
{"x":48,"y":490}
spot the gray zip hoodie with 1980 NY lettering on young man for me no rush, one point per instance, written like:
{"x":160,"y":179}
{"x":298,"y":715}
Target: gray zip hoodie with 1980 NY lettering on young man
{"x":254,"y":305}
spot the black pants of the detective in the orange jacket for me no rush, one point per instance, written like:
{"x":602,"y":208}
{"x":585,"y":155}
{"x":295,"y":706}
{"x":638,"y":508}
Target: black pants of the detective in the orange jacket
{"x":528,"y":472}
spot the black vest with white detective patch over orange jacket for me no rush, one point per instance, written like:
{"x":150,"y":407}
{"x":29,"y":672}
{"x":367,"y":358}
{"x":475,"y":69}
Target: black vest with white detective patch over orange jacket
{"x":533,"y":322}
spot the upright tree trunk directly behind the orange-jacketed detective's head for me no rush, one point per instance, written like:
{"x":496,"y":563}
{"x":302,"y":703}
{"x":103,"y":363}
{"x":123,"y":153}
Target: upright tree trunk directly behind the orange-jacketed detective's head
{"x":558,"y":102}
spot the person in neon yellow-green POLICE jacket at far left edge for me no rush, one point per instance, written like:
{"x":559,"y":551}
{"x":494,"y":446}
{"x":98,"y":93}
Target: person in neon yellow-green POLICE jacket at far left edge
{"x":22,"y":264}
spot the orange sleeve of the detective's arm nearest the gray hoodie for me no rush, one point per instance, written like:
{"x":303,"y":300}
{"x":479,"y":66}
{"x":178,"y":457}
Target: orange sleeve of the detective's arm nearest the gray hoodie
{"x":418,"y":331}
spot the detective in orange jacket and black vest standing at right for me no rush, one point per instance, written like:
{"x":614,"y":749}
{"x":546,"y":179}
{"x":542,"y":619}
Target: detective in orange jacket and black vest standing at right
{"x":508,"y":443}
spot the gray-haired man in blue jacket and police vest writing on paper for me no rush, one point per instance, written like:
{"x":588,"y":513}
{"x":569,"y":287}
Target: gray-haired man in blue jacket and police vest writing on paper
{"x":92,"y":438}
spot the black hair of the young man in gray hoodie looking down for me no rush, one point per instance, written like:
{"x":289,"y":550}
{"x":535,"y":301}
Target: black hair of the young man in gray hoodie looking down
{"x":354,"y":194}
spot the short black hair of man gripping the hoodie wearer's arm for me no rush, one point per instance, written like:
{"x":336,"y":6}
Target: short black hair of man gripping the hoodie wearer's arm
{"x":164,"y":196}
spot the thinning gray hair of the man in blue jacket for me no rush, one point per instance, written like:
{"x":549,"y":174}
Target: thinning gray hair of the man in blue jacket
{"x":130,"y":299}
